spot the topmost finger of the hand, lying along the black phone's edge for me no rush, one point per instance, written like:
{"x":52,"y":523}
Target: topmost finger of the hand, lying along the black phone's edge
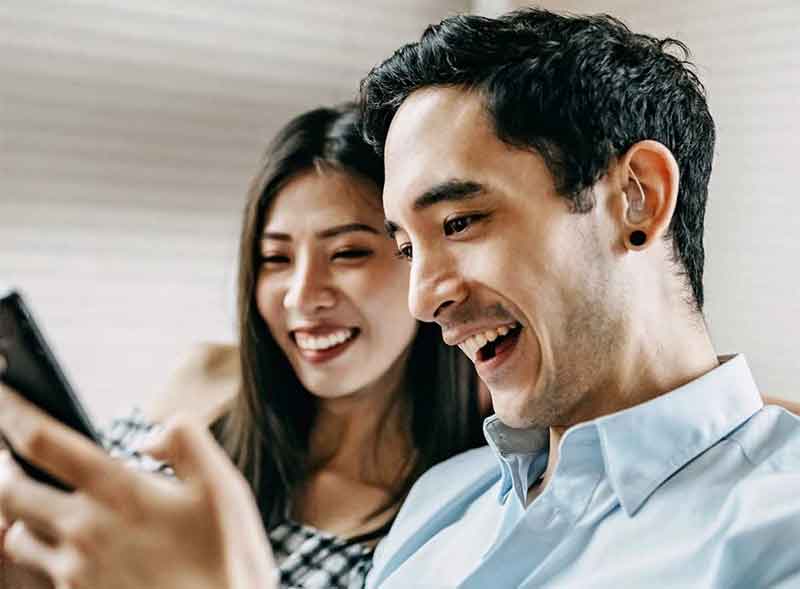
{"x":60,"y":451}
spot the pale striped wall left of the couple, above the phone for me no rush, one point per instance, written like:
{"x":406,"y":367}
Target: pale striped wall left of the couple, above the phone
{"x":128,"y":133}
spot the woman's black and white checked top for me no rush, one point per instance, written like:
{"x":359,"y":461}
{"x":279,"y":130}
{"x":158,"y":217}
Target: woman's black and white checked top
{"x":307,"y":558}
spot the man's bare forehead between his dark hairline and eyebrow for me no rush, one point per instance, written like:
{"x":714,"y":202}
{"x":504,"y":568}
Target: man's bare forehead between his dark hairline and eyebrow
{"x":437,"y":134}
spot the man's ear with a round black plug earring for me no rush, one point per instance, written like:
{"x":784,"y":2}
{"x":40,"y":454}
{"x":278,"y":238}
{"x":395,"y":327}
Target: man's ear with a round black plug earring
{"x":649,"y":178}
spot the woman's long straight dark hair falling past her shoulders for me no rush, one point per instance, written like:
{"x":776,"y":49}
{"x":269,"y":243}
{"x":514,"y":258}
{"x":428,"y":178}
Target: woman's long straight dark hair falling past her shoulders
{"x":267,"y":431}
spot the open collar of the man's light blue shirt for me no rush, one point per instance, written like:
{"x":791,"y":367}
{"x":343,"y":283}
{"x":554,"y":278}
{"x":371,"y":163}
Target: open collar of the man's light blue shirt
{"x":644,"y":445}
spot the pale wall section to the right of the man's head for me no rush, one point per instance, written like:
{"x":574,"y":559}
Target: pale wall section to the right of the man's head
{"x":749,"y":59}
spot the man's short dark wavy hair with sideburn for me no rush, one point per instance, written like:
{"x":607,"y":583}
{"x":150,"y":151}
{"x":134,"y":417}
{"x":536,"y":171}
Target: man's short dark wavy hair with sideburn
{"x":579,"y":90}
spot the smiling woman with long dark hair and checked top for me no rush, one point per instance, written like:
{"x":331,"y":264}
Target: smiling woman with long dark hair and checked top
{"x":345,"y":399}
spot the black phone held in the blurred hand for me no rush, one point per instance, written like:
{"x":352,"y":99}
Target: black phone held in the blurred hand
{"x":28,"y":365}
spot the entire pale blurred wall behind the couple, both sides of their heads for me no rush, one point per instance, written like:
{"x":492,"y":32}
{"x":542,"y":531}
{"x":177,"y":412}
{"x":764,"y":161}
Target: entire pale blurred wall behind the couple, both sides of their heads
{"x":129,"y":131}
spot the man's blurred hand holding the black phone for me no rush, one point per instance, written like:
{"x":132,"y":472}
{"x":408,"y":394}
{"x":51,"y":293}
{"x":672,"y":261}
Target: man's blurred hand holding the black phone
{"x":126,"y":529}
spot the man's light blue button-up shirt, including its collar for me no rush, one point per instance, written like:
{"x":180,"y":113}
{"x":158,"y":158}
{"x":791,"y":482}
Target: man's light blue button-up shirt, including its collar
{"x":699,"y":487}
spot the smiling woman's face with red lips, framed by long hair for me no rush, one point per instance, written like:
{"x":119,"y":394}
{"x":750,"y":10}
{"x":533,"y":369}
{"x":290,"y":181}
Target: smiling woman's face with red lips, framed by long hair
{"x":330,"y":286}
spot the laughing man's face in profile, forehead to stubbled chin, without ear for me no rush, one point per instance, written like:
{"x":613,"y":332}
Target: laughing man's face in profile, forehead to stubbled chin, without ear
{"x":520,"y":283}
